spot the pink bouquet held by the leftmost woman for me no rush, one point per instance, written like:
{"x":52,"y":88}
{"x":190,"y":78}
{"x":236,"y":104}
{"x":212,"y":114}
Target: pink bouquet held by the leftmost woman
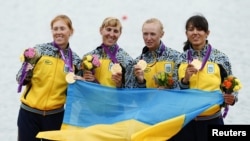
{"x":30,"y":55}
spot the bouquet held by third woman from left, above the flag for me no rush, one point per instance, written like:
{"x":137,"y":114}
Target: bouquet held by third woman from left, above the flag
{"x":163,"y":79}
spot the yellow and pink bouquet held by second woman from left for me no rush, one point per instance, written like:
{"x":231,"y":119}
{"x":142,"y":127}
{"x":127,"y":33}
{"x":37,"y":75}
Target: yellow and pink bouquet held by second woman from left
{"x":91,"y":62}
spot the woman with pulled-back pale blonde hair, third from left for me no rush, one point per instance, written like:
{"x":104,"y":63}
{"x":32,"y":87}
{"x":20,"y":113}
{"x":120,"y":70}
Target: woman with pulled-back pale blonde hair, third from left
{"x":158,"y":56}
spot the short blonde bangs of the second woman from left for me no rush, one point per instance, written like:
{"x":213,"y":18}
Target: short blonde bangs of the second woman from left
{"x":111,"y":21}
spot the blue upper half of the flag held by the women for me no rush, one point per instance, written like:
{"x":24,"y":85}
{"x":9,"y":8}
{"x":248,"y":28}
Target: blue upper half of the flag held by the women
{"x":89,"y":104}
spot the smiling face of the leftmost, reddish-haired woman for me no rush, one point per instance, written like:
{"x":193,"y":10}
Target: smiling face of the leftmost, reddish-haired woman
{"x":61,"y":33}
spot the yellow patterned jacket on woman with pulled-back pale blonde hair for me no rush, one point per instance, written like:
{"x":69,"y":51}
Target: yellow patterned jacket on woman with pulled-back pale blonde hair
{"x":158,"y":62}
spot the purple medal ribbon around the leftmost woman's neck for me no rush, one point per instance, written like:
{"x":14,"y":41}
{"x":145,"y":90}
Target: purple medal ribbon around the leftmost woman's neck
{"x":68,"y":61}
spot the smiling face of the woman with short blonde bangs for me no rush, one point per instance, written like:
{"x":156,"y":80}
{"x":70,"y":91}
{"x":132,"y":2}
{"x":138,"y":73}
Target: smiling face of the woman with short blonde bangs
{"x":110,"y":35}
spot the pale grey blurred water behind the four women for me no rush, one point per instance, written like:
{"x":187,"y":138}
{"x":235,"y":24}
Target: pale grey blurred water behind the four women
{"x":26,"y":23}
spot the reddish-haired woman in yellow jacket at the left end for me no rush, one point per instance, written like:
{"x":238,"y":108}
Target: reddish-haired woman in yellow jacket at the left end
{"x":43,"y":99}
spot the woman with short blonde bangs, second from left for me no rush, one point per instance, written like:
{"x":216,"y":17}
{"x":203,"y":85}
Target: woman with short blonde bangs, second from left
{"x":110,"y":53}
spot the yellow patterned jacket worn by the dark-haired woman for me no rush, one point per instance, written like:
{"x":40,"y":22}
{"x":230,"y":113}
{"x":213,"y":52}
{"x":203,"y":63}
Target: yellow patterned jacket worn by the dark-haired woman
{"x":210,"y":77}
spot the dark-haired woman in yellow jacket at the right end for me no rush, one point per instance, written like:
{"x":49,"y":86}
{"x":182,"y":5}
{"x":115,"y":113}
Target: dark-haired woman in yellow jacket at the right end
{"x":208,"y":74}
